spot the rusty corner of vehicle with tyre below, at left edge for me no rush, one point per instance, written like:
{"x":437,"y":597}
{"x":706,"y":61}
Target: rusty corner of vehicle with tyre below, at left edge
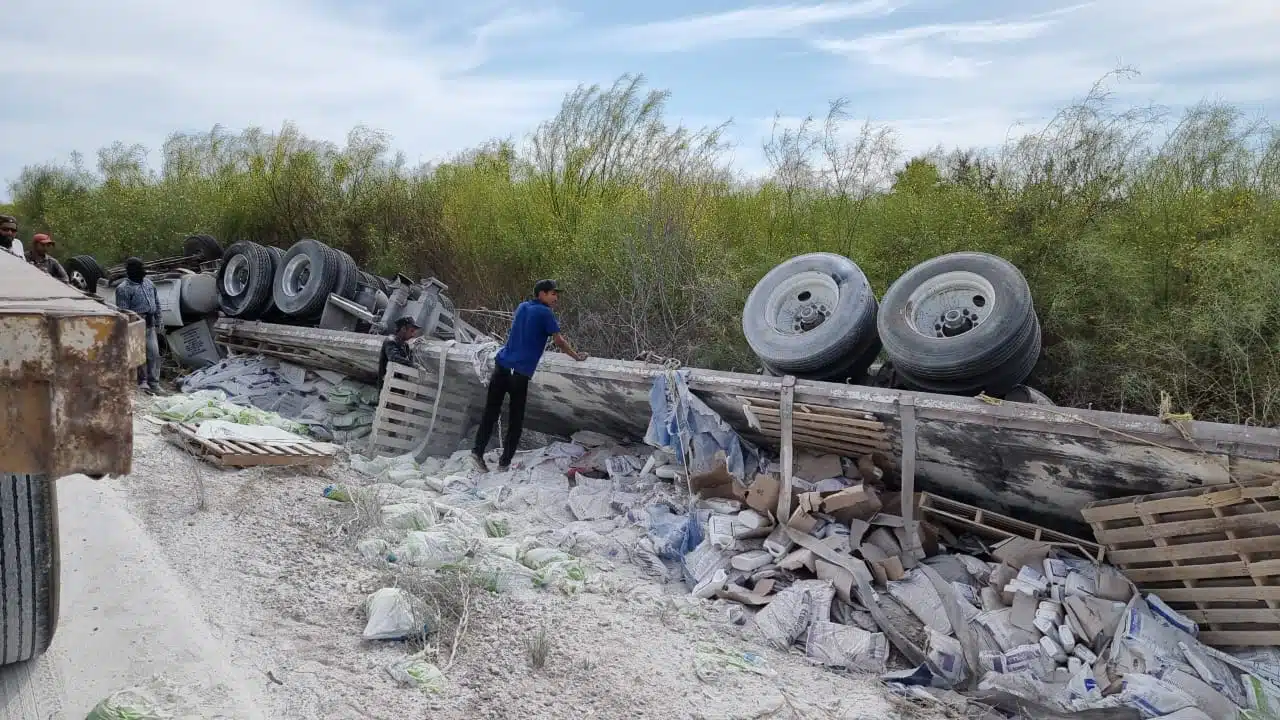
{"x":67,"y":384}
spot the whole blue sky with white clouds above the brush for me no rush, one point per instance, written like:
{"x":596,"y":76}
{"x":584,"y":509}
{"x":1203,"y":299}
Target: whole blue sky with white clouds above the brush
{"x":445,"y":76}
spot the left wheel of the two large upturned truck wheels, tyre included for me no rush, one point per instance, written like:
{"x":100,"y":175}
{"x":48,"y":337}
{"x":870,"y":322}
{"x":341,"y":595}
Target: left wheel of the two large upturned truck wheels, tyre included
{"x":839,"y":347}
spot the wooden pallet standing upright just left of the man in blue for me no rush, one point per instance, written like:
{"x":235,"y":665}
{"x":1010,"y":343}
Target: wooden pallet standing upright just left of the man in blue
{"x":405,"y":411}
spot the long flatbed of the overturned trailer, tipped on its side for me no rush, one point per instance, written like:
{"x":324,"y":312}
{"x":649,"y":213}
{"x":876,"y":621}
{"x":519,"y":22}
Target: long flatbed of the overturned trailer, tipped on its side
{"x":1005,"y":457}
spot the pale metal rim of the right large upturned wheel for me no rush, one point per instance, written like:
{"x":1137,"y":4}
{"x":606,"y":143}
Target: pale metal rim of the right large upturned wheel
{"x":950,"y":304}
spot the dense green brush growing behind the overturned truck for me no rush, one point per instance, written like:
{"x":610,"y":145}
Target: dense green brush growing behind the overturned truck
{"x":1151,"y":240}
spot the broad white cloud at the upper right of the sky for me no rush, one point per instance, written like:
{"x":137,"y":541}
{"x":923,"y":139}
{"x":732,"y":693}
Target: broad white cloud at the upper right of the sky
{"x":977,"y":83}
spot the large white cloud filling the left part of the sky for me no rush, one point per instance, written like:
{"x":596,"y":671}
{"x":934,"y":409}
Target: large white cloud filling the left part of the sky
{"x":80,"y":75}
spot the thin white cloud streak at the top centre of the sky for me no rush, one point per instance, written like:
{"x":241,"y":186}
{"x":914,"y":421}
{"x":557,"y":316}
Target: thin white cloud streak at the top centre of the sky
{"x":748,"y":24}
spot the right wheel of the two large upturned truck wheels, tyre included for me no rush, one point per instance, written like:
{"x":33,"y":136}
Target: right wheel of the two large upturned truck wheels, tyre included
{"x":962,"y":325}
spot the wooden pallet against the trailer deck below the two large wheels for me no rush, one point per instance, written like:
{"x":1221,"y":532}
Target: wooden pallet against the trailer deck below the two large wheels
{"x":828,"y":430}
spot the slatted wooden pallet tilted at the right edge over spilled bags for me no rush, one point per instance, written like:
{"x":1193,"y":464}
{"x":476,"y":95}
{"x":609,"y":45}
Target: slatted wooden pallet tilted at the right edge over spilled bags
{"x":1213,"y":554}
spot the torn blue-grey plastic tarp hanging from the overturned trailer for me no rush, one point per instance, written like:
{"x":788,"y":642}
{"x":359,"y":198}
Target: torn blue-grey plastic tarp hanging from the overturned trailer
{"x":680,"y":420}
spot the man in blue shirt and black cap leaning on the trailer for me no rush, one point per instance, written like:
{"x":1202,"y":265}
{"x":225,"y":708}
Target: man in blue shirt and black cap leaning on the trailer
{"x":515,"y":366}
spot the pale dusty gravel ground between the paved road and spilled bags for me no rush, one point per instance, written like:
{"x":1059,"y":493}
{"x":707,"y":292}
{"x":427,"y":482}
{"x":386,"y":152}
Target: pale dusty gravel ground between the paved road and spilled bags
{"x":268,"y":562}
